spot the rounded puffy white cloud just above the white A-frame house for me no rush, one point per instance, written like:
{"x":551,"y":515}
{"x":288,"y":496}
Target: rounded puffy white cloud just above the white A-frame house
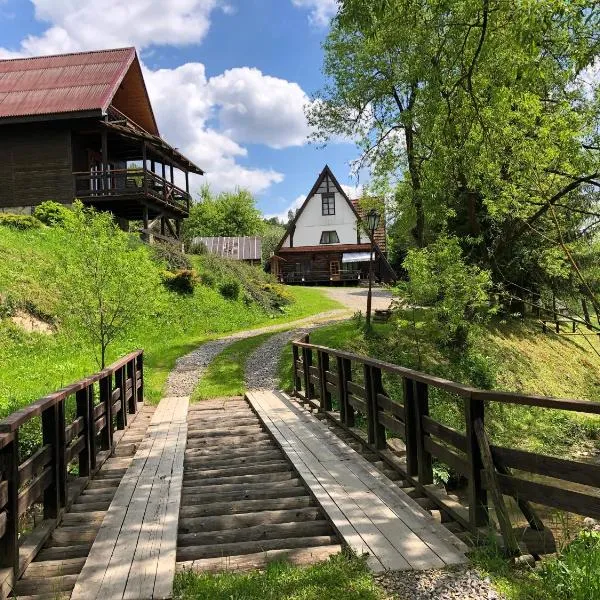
{"x":257,"y":108}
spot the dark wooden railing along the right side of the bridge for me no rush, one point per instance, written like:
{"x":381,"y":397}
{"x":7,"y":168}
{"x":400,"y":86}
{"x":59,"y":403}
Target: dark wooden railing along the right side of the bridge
{"x":357,"y":384}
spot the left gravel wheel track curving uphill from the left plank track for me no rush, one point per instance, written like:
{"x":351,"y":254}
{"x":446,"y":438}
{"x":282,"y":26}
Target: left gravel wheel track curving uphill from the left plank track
{"x":188,"y":370}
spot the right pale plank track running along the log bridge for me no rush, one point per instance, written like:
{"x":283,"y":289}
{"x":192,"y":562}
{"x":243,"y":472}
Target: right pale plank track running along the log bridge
{"x":371,"y":513}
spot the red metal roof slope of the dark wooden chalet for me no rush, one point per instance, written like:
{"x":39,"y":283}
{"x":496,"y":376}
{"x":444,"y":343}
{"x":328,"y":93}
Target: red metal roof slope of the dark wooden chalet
{"x":81,"y":82}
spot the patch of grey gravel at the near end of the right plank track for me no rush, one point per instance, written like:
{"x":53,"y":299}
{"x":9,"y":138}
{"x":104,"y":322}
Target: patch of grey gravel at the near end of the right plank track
{"x":443,"y":584}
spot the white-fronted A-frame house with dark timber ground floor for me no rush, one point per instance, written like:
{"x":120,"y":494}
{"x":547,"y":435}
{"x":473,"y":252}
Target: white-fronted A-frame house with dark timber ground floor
{"x":327,"y":242}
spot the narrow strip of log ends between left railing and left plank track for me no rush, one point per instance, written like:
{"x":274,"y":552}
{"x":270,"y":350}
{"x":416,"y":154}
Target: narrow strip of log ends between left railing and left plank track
{"x":54,"y":571}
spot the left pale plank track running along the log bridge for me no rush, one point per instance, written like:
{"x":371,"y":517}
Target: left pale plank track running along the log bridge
{"x":133,"y":555}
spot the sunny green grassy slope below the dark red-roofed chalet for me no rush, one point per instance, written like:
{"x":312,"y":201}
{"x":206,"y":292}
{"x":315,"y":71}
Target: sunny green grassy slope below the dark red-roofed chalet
{"x":39,"y":353}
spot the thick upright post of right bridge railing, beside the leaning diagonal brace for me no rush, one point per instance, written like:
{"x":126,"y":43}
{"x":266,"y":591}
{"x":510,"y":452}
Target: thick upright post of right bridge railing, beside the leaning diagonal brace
{"x":477,"y":496}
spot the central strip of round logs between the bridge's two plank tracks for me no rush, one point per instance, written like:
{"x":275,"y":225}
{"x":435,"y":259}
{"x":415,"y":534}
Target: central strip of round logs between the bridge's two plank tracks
{"x":242,"y":503}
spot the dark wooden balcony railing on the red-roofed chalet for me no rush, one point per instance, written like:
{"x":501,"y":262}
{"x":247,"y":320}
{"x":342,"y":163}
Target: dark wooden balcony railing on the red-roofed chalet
{"x":127,"y":183}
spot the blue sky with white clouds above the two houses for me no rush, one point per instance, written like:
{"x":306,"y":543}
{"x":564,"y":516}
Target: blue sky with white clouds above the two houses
{"x":228,"y":79}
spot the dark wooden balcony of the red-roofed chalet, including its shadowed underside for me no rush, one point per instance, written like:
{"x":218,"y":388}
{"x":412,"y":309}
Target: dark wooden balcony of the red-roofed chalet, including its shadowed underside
{"x":127,"y":189}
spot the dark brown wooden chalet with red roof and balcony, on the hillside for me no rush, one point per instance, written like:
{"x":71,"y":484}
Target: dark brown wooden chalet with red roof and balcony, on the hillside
{"x":82,"y":126}
